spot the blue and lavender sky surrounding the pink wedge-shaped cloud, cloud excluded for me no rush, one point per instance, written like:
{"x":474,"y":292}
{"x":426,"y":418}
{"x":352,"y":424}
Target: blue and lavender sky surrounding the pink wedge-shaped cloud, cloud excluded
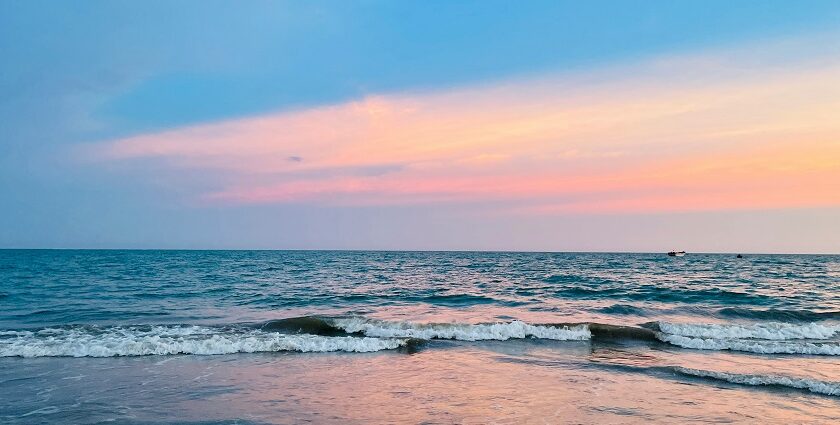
{"x":75,"y":74}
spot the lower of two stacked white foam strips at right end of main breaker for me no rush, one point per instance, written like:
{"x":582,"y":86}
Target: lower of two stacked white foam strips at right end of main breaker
{"x":752,"y":345}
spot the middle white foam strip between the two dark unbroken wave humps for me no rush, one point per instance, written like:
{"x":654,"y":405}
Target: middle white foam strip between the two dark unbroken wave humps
{"x":460,"y":331}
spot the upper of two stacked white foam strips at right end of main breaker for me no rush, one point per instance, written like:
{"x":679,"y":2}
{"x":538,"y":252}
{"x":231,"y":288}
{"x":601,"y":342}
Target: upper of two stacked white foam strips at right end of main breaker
{"x":767,"y":331}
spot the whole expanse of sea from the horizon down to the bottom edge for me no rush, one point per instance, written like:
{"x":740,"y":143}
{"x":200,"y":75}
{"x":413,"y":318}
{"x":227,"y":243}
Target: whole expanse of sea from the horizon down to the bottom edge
{"x":287,"y":337}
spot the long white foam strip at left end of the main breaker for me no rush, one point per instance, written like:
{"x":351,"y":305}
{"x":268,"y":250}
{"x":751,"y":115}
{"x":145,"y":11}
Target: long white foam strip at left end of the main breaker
{"x":165,"y":340}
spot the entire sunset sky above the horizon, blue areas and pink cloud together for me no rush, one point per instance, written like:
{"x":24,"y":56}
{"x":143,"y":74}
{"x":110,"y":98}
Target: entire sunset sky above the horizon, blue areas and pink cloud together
{"x":707,"y":126}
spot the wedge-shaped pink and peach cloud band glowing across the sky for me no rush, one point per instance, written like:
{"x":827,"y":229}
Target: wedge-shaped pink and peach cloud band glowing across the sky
{"x":753,"y":128}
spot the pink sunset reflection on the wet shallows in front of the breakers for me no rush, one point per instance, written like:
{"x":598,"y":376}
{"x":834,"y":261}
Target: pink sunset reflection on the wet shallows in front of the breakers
{"x":511,"y":382}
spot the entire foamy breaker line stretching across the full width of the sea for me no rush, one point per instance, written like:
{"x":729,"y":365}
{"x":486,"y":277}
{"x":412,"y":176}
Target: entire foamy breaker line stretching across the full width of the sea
{"x":360,"y":334}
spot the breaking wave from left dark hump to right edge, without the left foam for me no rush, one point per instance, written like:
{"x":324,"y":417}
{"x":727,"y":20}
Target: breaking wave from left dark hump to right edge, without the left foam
{"x":764,"y":338}
